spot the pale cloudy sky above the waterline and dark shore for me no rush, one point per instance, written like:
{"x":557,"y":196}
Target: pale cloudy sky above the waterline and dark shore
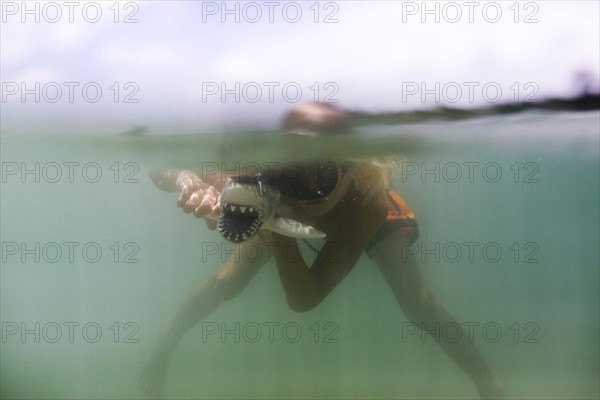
{"x":191,"y":66}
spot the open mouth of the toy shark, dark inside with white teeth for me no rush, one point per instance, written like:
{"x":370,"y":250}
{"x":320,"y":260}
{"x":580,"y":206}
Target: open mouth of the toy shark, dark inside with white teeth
{"x":239,"y":223}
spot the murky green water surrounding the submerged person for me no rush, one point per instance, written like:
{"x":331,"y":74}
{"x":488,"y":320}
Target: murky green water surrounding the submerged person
{"x":538,"y":300}
